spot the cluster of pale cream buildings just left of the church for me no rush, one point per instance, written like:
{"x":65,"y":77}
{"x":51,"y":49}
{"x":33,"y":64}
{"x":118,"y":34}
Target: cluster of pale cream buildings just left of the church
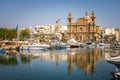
{"x":51,"y":31}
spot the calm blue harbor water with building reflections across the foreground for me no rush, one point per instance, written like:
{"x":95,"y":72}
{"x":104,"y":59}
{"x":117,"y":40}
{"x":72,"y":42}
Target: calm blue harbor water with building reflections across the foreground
{"x":65,"y":64}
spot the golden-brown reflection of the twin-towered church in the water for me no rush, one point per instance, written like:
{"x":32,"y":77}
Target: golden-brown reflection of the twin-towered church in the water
{"x":85,"y":60}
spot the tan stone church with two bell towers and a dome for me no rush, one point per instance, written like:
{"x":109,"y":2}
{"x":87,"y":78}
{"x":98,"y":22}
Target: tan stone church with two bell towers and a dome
{"x":83,"y":29}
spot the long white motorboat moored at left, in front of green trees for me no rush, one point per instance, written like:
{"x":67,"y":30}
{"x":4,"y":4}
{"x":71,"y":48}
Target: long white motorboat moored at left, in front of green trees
{"x":34,"y":46}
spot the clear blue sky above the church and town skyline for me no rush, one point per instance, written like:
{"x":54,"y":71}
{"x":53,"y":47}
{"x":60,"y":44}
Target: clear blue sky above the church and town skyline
{"x":43,"y":12}
